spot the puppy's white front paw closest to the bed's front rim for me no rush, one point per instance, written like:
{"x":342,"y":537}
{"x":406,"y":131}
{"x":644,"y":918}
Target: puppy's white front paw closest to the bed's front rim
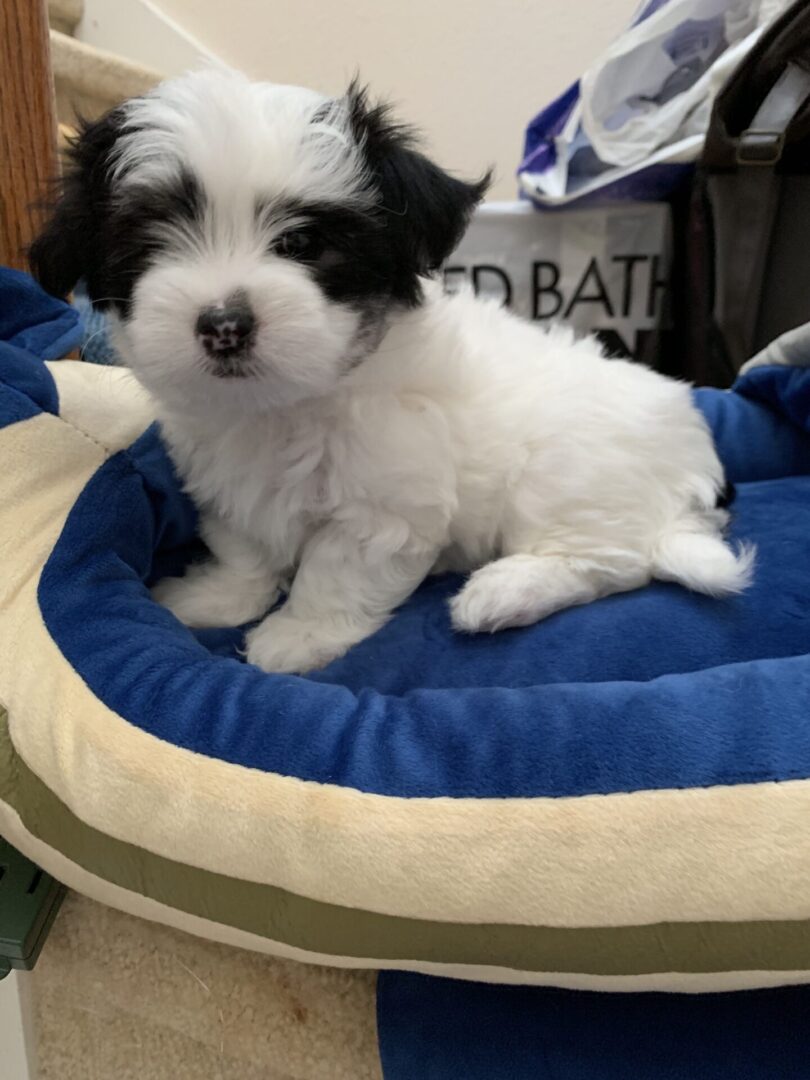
{"x":291,"y":646}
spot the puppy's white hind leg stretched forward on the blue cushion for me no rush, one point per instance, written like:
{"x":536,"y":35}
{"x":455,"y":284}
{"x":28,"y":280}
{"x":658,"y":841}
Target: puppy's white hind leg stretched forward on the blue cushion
{"x":519,"y":590}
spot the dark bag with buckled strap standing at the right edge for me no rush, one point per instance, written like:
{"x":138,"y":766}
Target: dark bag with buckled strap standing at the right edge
{"x":742,"y":259}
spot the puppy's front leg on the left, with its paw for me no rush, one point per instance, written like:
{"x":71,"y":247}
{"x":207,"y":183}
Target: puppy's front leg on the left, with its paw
{"x":236,"y":586}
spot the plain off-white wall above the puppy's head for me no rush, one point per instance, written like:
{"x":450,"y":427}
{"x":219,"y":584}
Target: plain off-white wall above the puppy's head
{"x":469,"y":73}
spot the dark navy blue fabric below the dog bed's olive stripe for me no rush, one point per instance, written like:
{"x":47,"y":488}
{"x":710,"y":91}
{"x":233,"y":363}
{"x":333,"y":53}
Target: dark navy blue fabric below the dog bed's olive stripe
{"x":442,"y":1030}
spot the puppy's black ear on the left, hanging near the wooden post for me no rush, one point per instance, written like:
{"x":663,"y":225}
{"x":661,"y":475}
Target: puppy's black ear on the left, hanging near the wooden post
{"x":70,"y":246}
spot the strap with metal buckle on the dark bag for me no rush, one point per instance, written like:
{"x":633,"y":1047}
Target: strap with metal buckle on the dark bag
{"x":746,"y":209}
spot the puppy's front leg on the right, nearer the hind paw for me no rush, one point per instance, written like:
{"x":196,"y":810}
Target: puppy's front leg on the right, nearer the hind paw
{"x":346,"y":588}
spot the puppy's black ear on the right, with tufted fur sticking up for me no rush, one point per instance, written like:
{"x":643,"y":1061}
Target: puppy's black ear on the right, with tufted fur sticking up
{"x":427,"y":209}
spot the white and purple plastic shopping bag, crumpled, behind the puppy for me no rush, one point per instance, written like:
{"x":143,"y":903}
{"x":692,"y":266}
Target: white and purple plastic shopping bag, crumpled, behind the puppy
{"x":637,"y":121}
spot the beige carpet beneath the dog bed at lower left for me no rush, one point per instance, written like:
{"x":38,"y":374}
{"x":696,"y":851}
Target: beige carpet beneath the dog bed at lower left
{"x":117,"y":998}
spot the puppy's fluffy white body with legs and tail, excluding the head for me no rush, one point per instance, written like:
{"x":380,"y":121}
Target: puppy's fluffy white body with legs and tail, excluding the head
{"x":468,"y":437}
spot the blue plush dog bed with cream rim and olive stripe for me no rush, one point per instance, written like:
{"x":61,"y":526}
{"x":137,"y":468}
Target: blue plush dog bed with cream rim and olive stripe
{"x":616,"y":799}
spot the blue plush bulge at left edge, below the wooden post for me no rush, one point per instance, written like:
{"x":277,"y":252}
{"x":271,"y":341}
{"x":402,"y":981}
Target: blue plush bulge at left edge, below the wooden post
{"x":35,"y":322}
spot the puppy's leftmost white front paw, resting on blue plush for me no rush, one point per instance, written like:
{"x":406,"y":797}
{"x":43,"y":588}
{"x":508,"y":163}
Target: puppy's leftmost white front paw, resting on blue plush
{"x":207,"y":598}
